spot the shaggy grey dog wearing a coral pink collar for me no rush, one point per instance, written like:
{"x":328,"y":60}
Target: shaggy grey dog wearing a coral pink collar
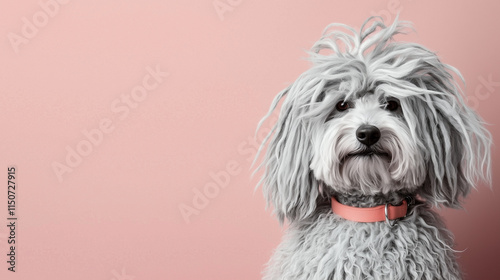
{"x":368,"y":140}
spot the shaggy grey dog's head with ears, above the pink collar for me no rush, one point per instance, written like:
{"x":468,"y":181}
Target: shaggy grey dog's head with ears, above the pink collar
{"x":373,"y":116}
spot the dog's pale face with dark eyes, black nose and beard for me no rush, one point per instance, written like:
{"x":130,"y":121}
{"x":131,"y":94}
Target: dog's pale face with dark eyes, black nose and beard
{"x":366,"y":146}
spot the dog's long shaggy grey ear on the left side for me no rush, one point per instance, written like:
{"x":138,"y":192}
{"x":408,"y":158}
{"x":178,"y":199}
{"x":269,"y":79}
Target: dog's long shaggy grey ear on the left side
{"x":288,"y":182}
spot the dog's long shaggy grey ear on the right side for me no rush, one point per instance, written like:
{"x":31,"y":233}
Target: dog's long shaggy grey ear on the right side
{"x":455,"y":141}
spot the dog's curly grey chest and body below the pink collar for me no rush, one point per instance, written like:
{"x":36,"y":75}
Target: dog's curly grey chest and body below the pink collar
{"x":332,"y":248}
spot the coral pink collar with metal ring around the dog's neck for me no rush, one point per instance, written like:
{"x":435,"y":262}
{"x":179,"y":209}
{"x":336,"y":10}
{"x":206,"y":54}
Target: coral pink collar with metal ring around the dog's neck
{"x":387,"y":212}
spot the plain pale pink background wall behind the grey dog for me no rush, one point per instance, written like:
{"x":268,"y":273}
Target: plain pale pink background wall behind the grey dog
{"x":117,"y":214}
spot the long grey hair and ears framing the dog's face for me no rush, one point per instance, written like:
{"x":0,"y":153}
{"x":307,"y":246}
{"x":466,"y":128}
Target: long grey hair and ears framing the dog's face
{"x":452,"y":136}
